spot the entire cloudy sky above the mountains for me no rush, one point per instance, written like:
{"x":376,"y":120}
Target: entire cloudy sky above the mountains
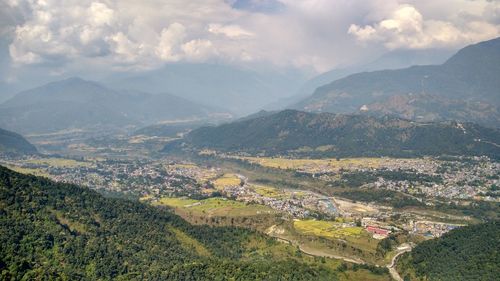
{"x":60,"y":37}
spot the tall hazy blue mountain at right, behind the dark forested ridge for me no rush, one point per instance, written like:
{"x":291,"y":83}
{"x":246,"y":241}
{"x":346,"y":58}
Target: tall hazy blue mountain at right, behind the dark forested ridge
{"x":466,"y":88}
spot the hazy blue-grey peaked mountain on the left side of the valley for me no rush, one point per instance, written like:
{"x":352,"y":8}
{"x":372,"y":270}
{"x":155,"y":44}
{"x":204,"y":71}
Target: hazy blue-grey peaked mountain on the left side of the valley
{"x":79,"y":104}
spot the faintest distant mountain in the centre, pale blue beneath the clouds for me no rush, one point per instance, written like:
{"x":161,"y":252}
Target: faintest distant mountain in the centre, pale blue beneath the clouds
{"x":239,"y":90}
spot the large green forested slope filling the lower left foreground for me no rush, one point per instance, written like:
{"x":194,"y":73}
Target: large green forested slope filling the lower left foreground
{"x":65,"y":232}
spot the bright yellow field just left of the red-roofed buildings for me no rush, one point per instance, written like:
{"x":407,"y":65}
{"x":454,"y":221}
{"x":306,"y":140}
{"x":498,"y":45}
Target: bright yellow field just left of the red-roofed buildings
{"x":326,"y":229}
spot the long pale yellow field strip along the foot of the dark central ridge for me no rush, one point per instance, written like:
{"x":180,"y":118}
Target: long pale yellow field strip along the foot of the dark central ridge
{"x":315,"y":165}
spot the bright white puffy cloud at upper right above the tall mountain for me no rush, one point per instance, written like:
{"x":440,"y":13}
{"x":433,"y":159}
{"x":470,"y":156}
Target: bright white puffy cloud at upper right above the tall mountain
{"x":406,"y":27}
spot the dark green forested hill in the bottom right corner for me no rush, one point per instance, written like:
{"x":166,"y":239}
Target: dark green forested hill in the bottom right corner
{"x":468,"y":253}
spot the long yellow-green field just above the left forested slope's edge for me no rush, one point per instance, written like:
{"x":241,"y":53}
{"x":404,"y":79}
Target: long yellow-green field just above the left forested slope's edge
{"x":216,"y":206}
